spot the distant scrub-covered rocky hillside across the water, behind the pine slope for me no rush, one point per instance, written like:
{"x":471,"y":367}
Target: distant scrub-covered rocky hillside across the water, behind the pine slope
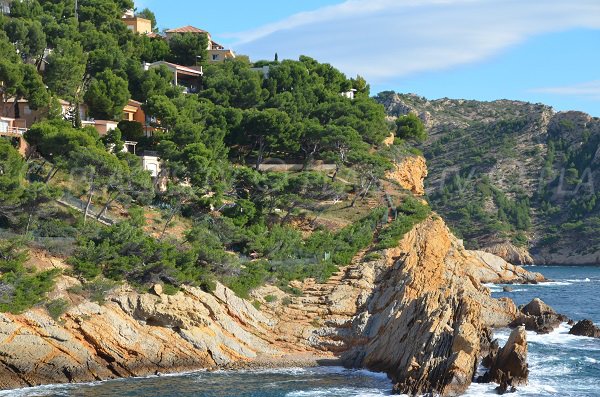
{"x":511,"y":177}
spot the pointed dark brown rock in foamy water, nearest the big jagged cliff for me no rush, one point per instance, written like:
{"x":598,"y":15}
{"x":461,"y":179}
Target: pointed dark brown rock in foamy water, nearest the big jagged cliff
{"x":508,"y":366}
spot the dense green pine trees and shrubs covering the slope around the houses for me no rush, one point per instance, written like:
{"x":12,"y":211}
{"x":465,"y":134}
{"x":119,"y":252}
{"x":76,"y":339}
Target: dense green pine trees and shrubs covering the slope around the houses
{"x":221,"y":217}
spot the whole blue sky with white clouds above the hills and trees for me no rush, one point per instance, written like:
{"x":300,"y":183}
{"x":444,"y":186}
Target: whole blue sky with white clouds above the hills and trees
{"x":539,"y":51}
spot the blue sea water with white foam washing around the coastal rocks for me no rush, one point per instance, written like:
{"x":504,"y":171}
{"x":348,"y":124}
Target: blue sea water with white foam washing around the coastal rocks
{"x":560,"y":364}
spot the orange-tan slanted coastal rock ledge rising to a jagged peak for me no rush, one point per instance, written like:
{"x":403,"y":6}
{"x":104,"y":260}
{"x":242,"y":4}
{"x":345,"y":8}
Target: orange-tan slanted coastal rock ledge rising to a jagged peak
{"x":419,"y":312}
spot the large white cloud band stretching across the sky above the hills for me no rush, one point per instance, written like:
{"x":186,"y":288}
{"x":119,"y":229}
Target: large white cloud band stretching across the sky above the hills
{"x":381,"y":39}
